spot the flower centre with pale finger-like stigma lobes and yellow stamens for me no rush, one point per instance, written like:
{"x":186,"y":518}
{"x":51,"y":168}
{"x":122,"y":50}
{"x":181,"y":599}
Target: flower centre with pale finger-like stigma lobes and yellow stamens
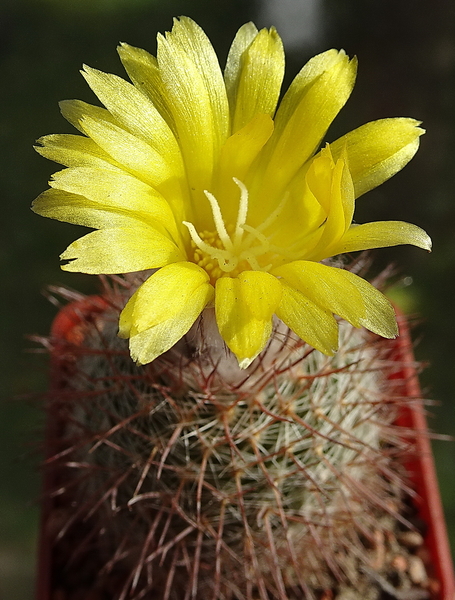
{"x":233,"y":249}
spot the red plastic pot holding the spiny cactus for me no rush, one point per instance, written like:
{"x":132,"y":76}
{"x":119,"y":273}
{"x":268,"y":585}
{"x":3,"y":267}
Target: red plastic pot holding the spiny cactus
{"x":67,"y":334}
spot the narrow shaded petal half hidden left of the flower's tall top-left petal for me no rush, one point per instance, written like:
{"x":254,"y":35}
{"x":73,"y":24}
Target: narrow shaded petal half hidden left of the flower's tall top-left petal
{"x":143,"y":70}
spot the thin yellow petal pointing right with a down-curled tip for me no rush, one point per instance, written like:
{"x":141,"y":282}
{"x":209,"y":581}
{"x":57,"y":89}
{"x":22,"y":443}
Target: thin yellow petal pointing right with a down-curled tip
{"x":379,"y":234}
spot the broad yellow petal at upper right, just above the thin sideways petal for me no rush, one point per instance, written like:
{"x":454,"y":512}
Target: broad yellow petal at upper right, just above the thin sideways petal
{"x":378,"y":150}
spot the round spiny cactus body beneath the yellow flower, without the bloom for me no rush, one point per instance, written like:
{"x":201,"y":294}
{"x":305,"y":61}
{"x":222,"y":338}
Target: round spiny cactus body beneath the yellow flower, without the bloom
{"x":191,"y":478}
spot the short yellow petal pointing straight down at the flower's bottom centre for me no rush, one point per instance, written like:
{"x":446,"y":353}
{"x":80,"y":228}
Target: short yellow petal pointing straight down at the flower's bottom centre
{"x":244,"y":307}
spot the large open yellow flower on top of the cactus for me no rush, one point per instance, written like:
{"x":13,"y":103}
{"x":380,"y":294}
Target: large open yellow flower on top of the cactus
{"x":199,"y":176}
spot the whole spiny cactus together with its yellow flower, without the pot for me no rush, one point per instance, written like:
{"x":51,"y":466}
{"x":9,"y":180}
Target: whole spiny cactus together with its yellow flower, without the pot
{"x":243,"y":446}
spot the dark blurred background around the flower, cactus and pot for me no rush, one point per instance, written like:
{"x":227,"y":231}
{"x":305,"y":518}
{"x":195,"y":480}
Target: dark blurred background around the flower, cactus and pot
{"x":406,"y":52}
